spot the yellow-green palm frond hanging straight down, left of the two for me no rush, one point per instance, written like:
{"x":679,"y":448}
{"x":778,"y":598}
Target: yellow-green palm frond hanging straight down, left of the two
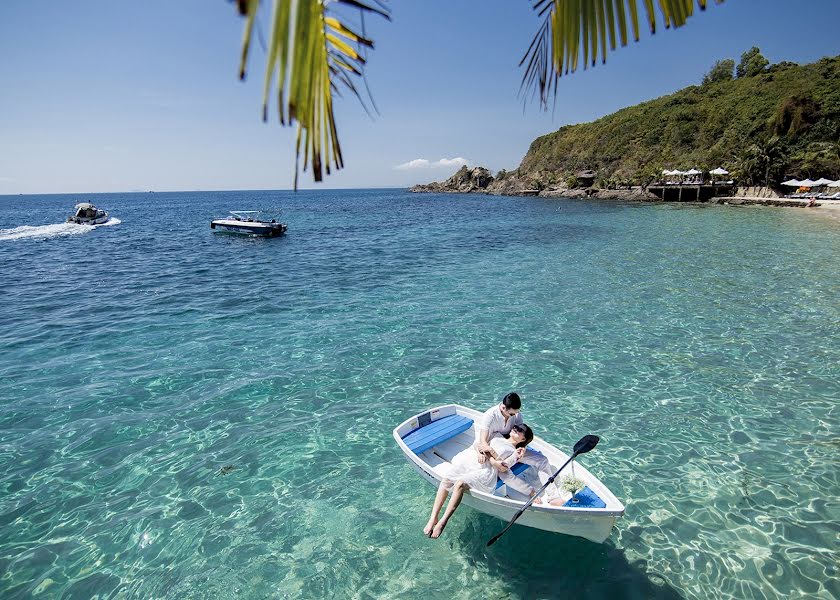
{"x":311,"y":50}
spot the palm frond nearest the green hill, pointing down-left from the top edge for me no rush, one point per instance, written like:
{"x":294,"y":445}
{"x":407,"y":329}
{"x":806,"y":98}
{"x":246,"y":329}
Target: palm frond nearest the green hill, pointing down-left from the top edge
{"x":569,"y":26}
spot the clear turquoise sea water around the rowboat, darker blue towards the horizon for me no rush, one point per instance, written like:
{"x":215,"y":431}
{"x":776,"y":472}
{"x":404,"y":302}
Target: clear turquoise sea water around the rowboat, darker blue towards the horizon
{"x":136,"y":360}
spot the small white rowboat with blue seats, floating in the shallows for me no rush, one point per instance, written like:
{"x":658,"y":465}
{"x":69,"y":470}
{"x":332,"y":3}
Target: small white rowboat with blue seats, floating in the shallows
{"x":432,"y":438}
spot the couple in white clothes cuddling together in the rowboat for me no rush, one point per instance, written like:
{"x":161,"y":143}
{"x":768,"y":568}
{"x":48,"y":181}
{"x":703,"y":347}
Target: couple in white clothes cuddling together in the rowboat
{"x":501,"y":443}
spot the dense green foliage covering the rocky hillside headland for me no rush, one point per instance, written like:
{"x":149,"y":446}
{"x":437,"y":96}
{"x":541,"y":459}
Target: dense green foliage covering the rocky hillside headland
{"x":784,"y":121}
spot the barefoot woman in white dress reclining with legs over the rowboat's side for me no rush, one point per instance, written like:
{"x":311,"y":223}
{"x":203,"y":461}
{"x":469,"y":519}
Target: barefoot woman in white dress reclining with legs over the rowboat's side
{"x":465,"y":472}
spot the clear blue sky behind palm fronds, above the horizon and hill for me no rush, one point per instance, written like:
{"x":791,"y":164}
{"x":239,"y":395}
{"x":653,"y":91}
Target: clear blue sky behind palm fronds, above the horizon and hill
{"x":104,"y":96}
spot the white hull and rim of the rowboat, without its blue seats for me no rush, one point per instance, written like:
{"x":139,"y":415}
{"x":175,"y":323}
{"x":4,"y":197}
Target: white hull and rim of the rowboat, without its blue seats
{"x":593,"y":524}
